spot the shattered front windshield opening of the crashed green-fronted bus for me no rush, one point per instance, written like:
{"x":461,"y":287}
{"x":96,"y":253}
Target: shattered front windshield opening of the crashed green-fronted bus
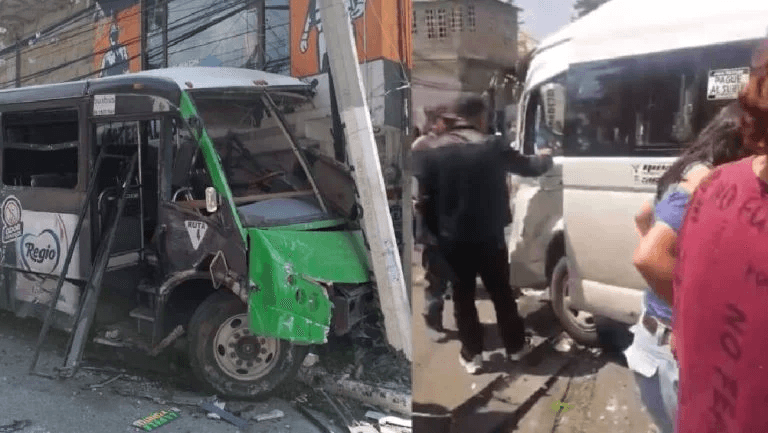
{"x":258,"y":158}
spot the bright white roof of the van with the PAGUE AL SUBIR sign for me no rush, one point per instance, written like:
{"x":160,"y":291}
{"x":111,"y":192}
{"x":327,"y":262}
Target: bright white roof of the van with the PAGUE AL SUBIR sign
{"x":622,"y":28}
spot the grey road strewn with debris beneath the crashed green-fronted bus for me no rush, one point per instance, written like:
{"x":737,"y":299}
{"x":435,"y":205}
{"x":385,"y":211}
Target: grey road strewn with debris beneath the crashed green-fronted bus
{"x":41,"y":405}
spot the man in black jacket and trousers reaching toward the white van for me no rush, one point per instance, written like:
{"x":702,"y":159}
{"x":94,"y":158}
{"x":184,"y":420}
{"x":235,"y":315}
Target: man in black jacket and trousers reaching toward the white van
{"x":463,"y":188}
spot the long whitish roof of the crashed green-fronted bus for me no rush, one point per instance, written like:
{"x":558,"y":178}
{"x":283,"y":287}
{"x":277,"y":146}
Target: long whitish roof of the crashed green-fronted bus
{"x":167,"y":81}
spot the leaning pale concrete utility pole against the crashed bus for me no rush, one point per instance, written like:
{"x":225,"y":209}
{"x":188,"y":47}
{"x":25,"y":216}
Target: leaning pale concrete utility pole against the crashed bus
{"x":364,"y":159}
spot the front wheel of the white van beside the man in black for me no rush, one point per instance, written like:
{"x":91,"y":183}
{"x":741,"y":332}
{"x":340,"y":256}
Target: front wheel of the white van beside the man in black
{"x":579,"y":324}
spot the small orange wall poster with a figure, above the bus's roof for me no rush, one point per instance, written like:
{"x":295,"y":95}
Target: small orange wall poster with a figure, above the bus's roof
{"x":117,"y":42}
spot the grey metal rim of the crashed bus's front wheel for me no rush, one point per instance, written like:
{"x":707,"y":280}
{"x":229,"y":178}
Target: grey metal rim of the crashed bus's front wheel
{"x":242,"y":355}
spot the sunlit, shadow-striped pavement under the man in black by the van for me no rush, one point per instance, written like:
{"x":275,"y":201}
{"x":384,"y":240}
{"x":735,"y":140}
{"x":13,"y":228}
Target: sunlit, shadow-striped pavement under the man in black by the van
{"x":520,"y":397}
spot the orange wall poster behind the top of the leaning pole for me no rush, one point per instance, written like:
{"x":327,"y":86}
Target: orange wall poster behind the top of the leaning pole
{"x":376,"y":24}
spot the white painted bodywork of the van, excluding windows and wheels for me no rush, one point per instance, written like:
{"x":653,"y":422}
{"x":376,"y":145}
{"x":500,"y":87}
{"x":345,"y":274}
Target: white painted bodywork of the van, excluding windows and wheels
{"x":601,"y":195}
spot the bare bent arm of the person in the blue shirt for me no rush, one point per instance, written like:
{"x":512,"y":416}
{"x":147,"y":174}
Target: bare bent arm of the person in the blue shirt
{"x":655,"y":259}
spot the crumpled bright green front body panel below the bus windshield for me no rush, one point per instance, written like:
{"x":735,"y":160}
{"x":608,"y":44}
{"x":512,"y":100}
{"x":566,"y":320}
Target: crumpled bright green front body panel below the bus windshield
{"x":288,"y":268}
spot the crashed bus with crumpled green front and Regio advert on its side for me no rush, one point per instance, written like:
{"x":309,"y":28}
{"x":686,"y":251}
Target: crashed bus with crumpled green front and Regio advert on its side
{"x":191,"y":208}
